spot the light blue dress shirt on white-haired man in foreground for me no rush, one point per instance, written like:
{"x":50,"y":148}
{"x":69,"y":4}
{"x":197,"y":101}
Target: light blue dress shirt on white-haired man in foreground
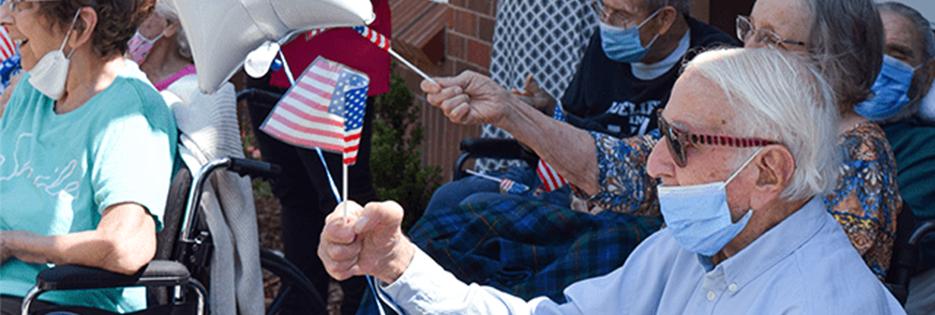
{"x":803,"y":265}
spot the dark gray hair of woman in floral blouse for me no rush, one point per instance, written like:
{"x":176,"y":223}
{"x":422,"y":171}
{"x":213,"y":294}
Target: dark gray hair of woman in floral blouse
{"x":847,"y":44}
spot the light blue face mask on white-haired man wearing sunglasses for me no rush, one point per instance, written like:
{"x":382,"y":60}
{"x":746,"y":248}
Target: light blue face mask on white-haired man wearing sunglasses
{"x":698,"y":216}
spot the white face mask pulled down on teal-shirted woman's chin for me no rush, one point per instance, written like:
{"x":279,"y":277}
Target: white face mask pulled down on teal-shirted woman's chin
{"x":50,"y":74}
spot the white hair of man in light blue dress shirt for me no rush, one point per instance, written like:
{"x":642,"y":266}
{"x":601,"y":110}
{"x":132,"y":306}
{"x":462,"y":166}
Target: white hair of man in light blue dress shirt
{"x":780,"y":96}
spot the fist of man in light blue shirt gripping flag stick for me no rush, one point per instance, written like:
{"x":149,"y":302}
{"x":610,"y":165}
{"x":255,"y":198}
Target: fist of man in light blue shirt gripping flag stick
{"x":369,"y":241}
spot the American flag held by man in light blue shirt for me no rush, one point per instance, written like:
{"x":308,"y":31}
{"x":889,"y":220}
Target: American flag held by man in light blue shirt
{"x":324,"y":109}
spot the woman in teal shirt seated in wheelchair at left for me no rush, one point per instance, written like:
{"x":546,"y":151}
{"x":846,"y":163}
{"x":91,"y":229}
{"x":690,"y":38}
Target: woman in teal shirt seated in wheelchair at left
{"x":86,"y":152}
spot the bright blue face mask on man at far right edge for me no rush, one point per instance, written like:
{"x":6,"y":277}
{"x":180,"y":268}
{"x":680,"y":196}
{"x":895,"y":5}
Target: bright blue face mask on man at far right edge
{"x":890,"y":91}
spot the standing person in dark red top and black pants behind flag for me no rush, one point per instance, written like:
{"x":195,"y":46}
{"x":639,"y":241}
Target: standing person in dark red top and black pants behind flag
{"x":303,"y":189}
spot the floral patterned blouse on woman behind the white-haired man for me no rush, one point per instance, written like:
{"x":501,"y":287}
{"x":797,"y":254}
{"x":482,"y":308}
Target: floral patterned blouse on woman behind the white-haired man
{"x":865,"y":200}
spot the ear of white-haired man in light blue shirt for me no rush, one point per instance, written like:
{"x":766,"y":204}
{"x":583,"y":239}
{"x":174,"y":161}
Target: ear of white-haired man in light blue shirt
{"x":776,"y":167}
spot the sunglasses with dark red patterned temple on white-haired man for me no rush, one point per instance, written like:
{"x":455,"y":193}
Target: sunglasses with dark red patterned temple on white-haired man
{"x":678,"y":140}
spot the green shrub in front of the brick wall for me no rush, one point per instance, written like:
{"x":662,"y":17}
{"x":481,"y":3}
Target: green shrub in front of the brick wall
{"x":396,"y":156}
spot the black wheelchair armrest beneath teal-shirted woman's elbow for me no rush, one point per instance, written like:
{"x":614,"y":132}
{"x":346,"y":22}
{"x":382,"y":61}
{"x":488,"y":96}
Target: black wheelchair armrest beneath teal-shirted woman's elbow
{"x":158,"y":273}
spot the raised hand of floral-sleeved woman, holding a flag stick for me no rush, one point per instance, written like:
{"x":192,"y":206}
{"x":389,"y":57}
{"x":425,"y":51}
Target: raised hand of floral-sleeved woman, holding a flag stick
{"x":469,"y":98}
